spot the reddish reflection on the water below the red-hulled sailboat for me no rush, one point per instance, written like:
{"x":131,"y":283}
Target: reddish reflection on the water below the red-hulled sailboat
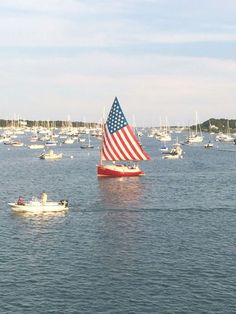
{"x":121,"y":192}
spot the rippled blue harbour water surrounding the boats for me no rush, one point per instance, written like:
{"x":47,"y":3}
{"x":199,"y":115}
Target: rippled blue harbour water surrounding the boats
{"x":162,"y":243}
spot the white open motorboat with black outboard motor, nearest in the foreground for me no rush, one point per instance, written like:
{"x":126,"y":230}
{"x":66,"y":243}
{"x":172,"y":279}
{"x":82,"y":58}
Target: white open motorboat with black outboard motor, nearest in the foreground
{"x":37,"y":207}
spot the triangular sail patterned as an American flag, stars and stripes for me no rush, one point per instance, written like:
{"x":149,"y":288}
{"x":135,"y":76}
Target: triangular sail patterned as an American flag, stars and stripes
{"x":119,"y":140}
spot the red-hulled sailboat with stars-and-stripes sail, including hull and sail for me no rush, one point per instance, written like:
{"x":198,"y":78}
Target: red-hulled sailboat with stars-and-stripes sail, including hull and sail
{"x":119,"y":144}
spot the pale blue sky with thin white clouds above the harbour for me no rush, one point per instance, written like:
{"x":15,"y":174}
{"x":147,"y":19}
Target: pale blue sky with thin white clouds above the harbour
{"x":163,"y":59}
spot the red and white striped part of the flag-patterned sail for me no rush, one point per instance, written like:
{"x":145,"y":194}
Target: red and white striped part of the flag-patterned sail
{"x":122,"y":145}
